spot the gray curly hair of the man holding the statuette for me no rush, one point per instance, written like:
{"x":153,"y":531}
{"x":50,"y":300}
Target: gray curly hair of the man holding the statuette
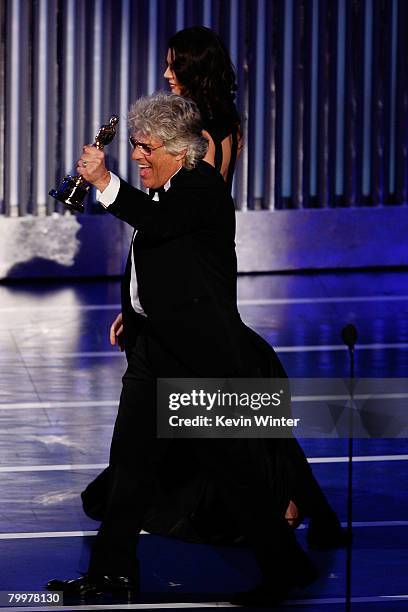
{"x":174,"y":120}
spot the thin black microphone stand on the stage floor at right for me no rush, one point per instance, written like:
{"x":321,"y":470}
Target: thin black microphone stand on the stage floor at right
{"x":349,"y":337}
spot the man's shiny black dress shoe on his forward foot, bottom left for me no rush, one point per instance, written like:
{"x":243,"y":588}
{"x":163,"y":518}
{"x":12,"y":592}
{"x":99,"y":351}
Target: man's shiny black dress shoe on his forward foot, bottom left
{"x":90,"y":586}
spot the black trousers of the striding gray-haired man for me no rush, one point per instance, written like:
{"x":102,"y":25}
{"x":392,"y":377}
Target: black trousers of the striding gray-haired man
{"x":237,"y":466}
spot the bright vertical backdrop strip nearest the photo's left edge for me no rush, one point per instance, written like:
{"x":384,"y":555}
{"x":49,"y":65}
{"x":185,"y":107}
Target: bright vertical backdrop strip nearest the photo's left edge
{"x":14,"y":108}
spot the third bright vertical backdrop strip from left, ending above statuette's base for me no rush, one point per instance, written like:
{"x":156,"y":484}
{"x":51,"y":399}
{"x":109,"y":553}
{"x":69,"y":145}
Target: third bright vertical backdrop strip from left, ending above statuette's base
{"x":69,"y":87}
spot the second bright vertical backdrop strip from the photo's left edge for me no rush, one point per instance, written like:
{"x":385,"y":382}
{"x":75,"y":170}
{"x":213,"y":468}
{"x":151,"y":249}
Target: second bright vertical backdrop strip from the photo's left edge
{"x":41,"y":152}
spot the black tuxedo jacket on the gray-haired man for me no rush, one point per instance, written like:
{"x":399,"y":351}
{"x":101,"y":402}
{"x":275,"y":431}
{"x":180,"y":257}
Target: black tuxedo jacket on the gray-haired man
{"x":186,"y":269}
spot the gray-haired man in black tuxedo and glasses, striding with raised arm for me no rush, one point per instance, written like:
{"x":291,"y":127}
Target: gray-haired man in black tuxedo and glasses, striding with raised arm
{"x":180,"y":320}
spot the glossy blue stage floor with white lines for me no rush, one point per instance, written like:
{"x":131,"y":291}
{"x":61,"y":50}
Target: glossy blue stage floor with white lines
{"x":60,"y":383}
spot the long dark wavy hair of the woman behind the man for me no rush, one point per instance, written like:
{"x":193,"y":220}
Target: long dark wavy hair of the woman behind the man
{"x":203,"y":67}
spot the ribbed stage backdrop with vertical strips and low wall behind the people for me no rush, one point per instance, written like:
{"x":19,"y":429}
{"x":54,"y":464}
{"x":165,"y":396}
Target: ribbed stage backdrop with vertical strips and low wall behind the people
{"x":323,"y":95}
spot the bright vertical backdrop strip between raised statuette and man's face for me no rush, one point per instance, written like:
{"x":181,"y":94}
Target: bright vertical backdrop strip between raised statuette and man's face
{"x":124,"y":152}
